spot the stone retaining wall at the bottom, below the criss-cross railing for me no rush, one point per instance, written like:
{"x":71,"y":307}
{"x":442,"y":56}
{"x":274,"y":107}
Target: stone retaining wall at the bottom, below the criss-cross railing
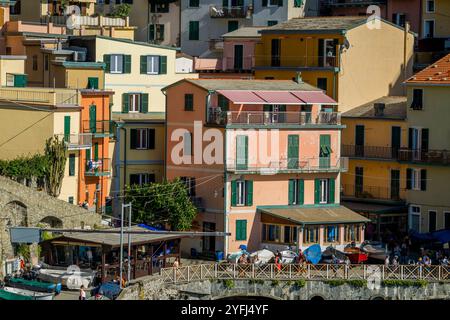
{"x":152,"y":288}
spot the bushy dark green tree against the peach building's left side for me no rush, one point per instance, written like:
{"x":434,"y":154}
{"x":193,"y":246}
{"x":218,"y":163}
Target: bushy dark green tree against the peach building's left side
{"x":162,"y":203}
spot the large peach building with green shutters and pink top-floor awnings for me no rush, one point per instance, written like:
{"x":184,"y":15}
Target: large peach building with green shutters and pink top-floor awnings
{"x":261,"y":160}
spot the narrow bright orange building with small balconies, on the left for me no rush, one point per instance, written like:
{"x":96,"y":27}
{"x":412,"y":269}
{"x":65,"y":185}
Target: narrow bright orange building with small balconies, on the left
{"x":95,"y":162}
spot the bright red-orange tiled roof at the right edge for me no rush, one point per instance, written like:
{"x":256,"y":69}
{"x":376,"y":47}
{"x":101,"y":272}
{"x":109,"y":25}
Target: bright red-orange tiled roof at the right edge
{"x":436,"y":73}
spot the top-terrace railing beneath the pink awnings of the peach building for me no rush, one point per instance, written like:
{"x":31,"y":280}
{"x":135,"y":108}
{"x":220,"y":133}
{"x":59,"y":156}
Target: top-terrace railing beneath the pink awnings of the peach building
{"x":272,"y":118}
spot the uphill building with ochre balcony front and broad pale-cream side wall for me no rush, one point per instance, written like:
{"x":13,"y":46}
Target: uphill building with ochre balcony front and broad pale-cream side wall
{"x":354,"y":61}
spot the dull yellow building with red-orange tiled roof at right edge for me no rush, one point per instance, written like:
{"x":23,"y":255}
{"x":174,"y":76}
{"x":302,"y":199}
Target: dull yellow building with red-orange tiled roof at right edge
{"x":428,"y":153}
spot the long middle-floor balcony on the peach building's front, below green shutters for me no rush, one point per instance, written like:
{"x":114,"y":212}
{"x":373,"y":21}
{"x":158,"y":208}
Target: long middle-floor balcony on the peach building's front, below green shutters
{"x":312,"y":165}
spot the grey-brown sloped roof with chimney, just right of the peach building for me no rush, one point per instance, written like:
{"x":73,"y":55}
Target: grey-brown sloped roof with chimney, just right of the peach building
{"x":395,"y":108}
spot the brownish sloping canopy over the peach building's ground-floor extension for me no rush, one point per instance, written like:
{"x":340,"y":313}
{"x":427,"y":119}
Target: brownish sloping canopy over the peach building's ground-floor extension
{"x":314,"y":215}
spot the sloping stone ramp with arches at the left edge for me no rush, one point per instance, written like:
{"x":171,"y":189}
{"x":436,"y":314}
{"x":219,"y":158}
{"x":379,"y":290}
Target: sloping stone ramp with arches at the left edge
{"x":24,"y":206}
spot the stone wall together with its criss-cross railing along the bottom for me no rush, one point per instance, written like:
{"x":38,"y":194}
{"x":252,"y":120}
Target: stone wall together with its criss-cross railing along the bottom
{"x":292,"y":282}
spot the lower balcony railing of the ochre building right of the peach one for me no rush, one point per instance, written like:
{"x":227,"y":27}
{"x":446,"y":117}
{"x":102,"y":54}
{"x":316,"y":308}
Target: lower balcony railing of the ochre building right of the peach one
{"x":372,"y":192}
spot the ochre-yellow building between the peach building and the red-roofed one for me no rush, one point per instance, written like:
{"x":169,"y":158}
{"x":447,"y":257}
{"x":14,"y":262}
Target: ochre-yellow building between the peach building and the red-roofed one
{"x":375,"y":184}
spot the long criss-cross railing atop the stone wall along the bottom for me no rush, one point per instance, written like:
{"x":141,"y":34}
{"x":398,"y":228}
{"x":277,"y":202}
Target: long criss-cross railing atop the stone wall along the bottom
{"x":307,"y":272}
